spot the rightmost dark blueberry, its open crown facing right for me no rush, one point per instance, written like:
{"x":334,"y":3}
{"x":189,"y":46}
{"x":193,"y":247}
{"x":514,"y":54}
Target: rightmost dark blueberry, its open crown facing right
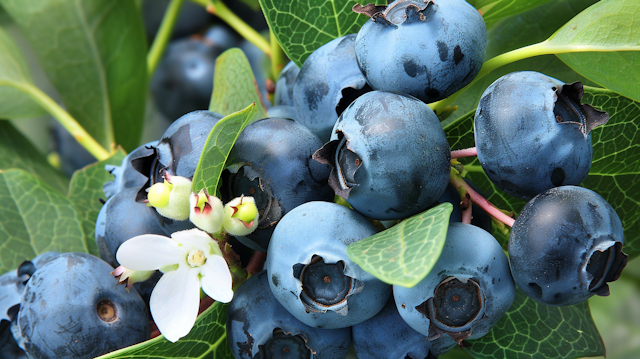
{"x":565,"y":246}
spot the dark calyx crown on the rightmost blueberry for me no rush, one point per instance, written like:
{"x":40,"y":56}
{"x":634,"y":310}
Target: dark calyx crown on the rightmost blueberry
{"x":605,"y":266}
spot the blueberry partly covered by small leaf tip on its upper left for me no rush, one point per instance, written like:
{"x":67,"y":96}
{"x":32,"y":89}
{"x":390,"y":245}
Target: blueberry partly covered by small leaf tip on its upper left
{"x":466,"y":292}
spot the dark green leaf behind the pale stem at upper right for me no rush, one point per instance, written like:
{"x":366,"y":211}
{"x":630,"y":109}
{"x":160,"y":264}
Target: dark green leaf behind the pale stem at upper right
{"x":528,"y":28}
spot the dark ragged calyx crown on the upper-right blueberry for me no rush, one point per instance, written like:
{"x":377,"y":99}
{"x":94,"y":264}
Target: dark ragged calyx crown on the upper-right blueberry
{"x":569,"y":109}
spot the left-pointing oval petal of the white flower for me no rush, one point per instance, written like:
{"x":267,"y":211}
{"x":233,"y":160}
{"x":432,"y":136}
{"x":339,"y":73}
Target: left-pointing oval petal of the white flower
{"x":150,"y":252}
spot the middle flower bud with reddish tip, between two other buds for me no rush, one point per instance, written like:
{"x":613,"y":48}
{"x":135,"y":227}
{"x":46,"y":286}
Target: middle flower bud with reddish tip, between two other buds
{"x":207,"y":212}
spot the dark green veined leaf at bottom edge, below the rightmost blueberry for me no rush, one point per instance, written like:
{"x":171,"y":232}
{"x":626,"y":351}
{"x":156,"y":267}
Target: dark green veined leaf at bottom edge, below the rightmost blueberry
{"x":532,"y":330}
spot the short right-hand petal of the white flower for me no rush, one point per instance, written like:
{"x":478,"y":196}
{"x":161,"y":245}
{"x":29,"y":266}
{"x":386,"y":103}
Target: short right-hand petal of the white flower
{"x":216,"y":279}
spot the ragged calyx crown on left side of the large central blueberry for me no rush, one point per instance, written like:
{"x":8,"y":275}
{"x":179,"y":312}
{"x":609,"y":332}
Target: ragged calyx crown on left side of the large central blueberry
{"x":344,"y":163}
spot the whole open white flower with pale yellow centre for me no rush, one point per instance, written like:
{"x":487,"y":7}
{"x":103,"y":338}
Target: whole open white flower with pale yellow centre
{"x":190,"y":260}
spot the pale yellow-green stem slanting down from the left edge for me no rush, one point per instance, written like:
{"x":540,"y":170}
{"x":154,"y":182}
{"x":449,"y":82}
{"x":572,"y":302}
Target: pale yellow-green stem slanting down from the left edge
{"x":65,"y":119}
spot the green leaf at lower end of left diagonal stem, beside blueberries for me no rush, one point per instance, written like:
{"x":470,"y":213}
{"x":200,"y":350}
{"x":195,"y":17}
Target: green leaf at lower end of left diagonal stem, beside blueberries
{"x":85,"y":192}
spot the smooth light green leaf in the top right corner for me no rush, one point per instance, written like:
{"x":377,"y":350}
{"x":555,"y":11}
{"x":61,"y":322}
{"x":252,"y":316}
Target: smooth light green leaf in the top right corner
{"x":609,"y":26}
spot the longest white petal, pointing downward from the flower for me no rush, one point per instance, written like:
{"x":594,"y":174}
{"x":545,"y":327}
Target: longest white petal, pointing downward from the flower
{"x":174,"y":302}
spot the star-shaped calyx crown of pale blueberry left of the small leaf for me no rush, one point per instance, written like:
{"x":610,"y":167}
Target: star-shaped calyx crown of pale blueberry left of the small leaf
{"x":325,"y":286}
